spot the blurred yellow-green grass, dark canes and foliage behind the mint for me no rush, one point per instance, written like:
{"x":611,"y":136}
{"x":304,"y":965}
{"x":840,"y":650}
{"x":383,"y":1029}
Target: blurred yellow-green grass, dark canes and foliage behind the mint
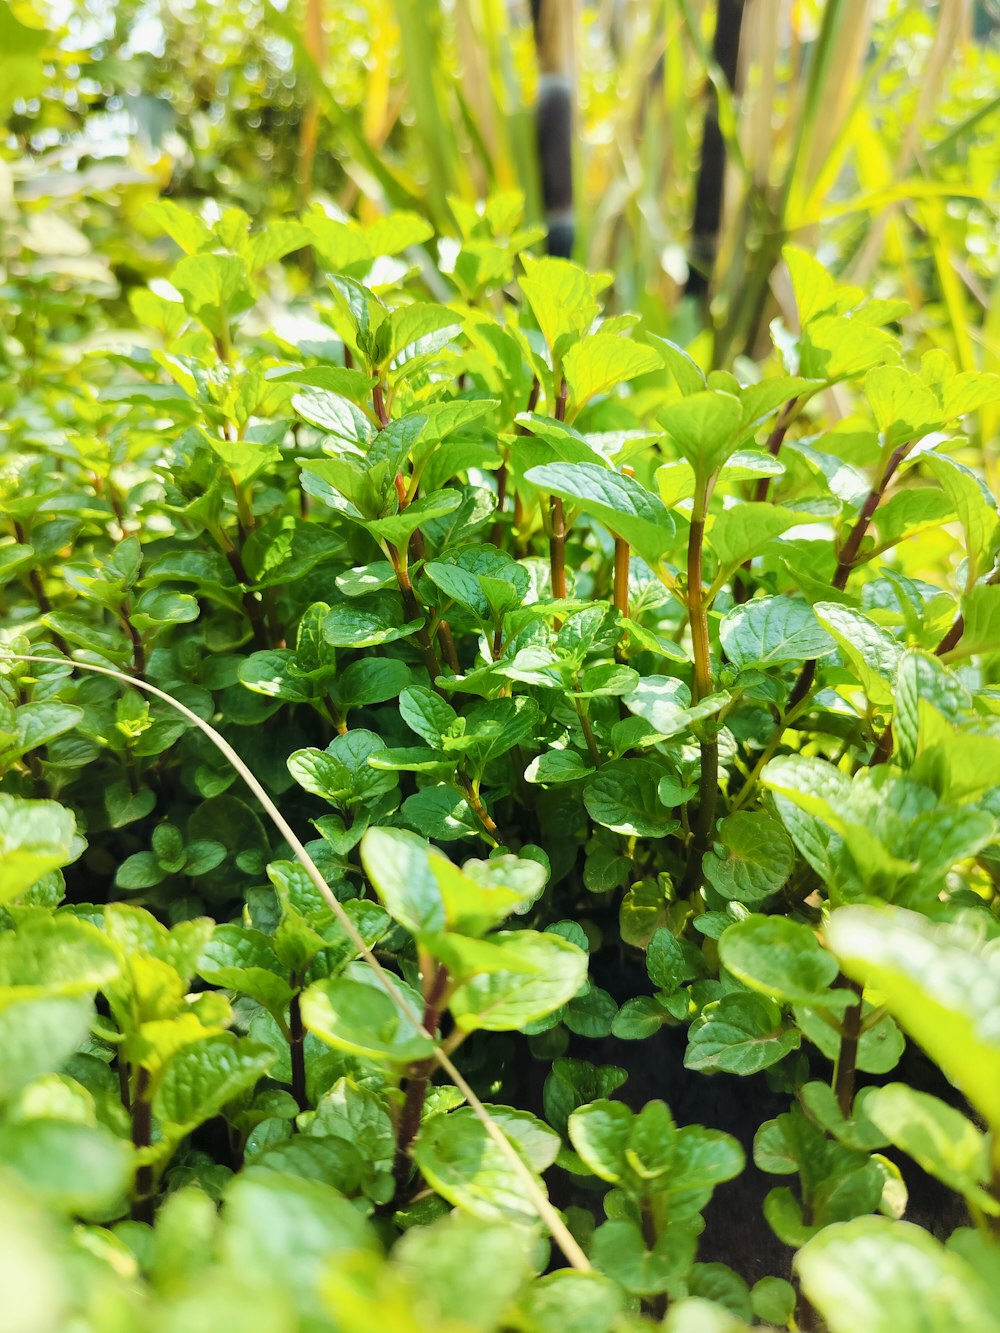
{"x":706,"y":134}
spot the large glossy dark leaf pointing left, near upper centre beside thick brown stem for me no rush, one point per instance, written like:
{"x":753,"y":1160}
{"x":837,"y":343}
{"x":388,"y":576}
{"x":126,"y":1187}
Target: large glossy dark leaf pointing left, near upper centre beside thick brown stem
{"x":626,"y":507}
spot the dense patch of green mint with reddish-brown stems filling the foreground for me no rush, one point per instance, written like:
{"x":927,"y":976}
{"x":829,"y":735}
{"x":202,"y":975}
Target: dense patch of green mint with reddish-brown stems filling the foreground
{"x":591,"y":703}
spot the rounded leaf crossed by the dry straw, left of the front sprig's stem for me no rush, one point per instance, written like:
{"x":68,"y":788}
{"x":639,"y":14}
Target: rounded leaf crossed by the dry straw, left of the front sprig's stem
{"x":354,"y":1014}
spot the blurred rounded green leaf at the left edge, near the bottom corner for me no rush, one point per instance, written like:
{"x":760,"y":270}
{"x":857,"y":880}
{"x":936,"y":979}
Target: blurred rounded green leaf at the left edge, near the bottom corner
{"x":78,"y":1170}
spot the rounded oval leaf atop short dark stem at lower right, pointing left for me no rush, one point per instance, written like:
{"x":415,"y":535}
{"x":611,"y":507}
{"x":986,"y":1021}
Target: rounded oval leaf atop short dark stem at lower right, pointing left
{"x":785,"y":960}
